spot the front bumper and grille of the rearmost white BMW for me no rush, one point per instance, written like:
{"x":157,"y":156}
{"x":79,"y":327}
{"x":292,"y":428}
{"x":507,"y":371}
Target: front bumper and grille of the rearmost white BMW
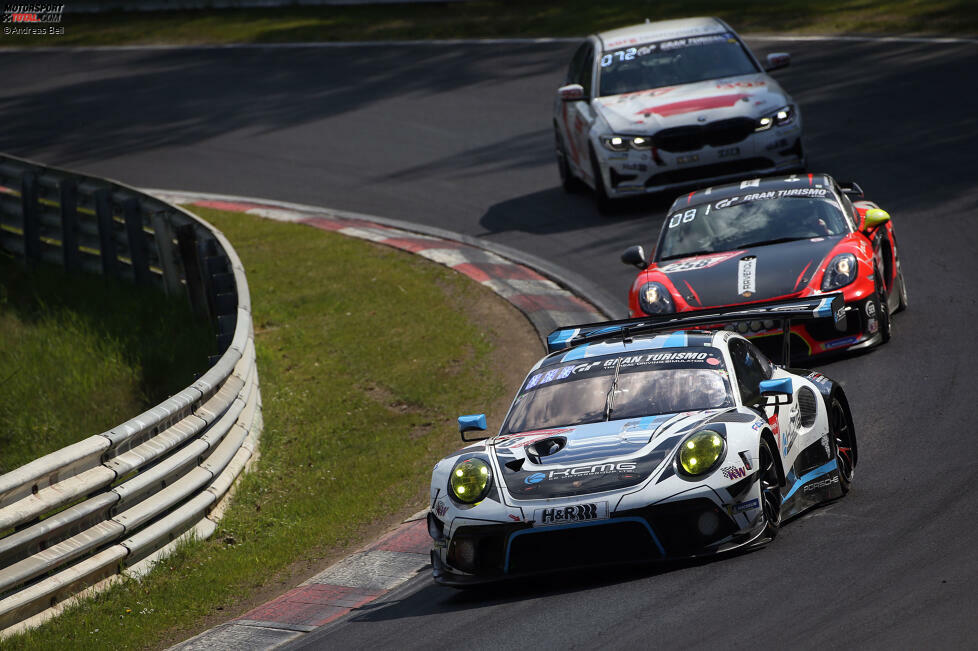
{"x":762,"y":153}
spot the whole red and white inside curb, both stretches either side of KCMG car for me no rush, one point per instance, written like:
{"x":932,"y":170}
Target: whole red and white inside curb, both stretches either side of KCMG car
{"x":400,"y":555}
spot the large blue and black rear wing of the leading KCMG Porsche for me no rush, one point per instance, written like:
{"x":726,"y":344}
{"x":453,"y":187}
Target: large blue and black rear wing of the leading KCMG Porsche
{"x":781,"y":312}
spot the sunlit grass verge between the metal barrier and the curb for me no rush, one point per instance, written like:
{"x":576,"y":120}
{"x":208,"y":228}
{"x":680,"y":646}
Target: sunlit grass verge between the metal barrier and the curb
{"x":366,"y":354}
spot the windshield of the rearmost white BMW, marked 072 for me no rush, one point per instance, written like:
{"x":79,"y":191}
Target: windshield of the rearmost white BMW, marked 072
{"x":673,"y":62}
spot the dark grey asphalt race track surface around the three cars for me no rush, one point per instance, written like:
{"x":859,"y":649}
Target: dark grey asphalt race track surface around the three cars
{"x":460,"y":137}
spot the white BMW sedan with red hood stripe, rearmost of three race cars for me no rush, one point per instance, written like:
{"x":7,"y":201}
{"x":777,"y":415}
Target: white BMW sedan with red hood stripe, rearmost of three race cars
{"x":672,"y":104}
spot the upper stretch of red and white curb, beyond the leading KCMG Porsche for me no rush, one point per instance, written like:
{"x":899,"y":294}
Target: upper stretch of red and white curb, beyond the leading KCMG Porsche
{"x":546,"y":303}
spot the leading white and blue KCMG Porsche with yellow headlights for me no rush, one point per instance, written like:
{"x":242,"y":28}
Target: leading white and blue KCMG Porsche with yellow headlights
{"x":628,"y":443}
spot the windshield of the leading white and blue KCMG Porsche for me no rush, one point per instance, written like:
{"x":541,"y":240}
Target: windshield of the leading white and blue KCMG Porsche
{"x":621,"y":386}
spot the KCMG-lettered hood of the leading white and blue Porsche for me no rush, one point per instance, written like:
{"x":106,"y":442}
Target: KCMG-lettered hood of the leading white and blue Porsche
{"x":592,"y":458}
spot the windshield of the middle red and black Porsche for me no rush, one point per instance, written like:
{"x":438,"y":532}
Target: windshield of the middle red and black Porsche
{"x":751,"y":220}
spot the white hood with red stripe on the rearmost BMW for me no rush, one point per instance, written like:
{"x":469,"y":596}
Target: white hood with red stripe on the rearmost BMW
{"x":649,"y":111}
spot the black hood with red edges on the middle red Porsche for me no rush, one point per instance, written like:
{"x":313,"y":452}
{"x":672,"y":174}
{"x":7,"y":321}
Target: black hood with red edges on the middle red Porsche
{"x":746,"y":275}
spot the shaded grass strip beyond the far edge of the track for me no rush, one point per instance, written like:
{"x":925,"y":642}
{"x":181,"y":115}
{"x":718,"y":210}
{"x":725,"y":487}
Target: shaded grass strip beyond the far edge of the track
{"x":502,"y":18}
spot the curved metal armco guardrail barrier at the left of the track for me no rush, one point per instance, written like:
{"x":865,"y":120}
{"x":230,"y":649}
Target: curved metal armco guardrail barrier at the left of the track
{"x":115,"y":502}
